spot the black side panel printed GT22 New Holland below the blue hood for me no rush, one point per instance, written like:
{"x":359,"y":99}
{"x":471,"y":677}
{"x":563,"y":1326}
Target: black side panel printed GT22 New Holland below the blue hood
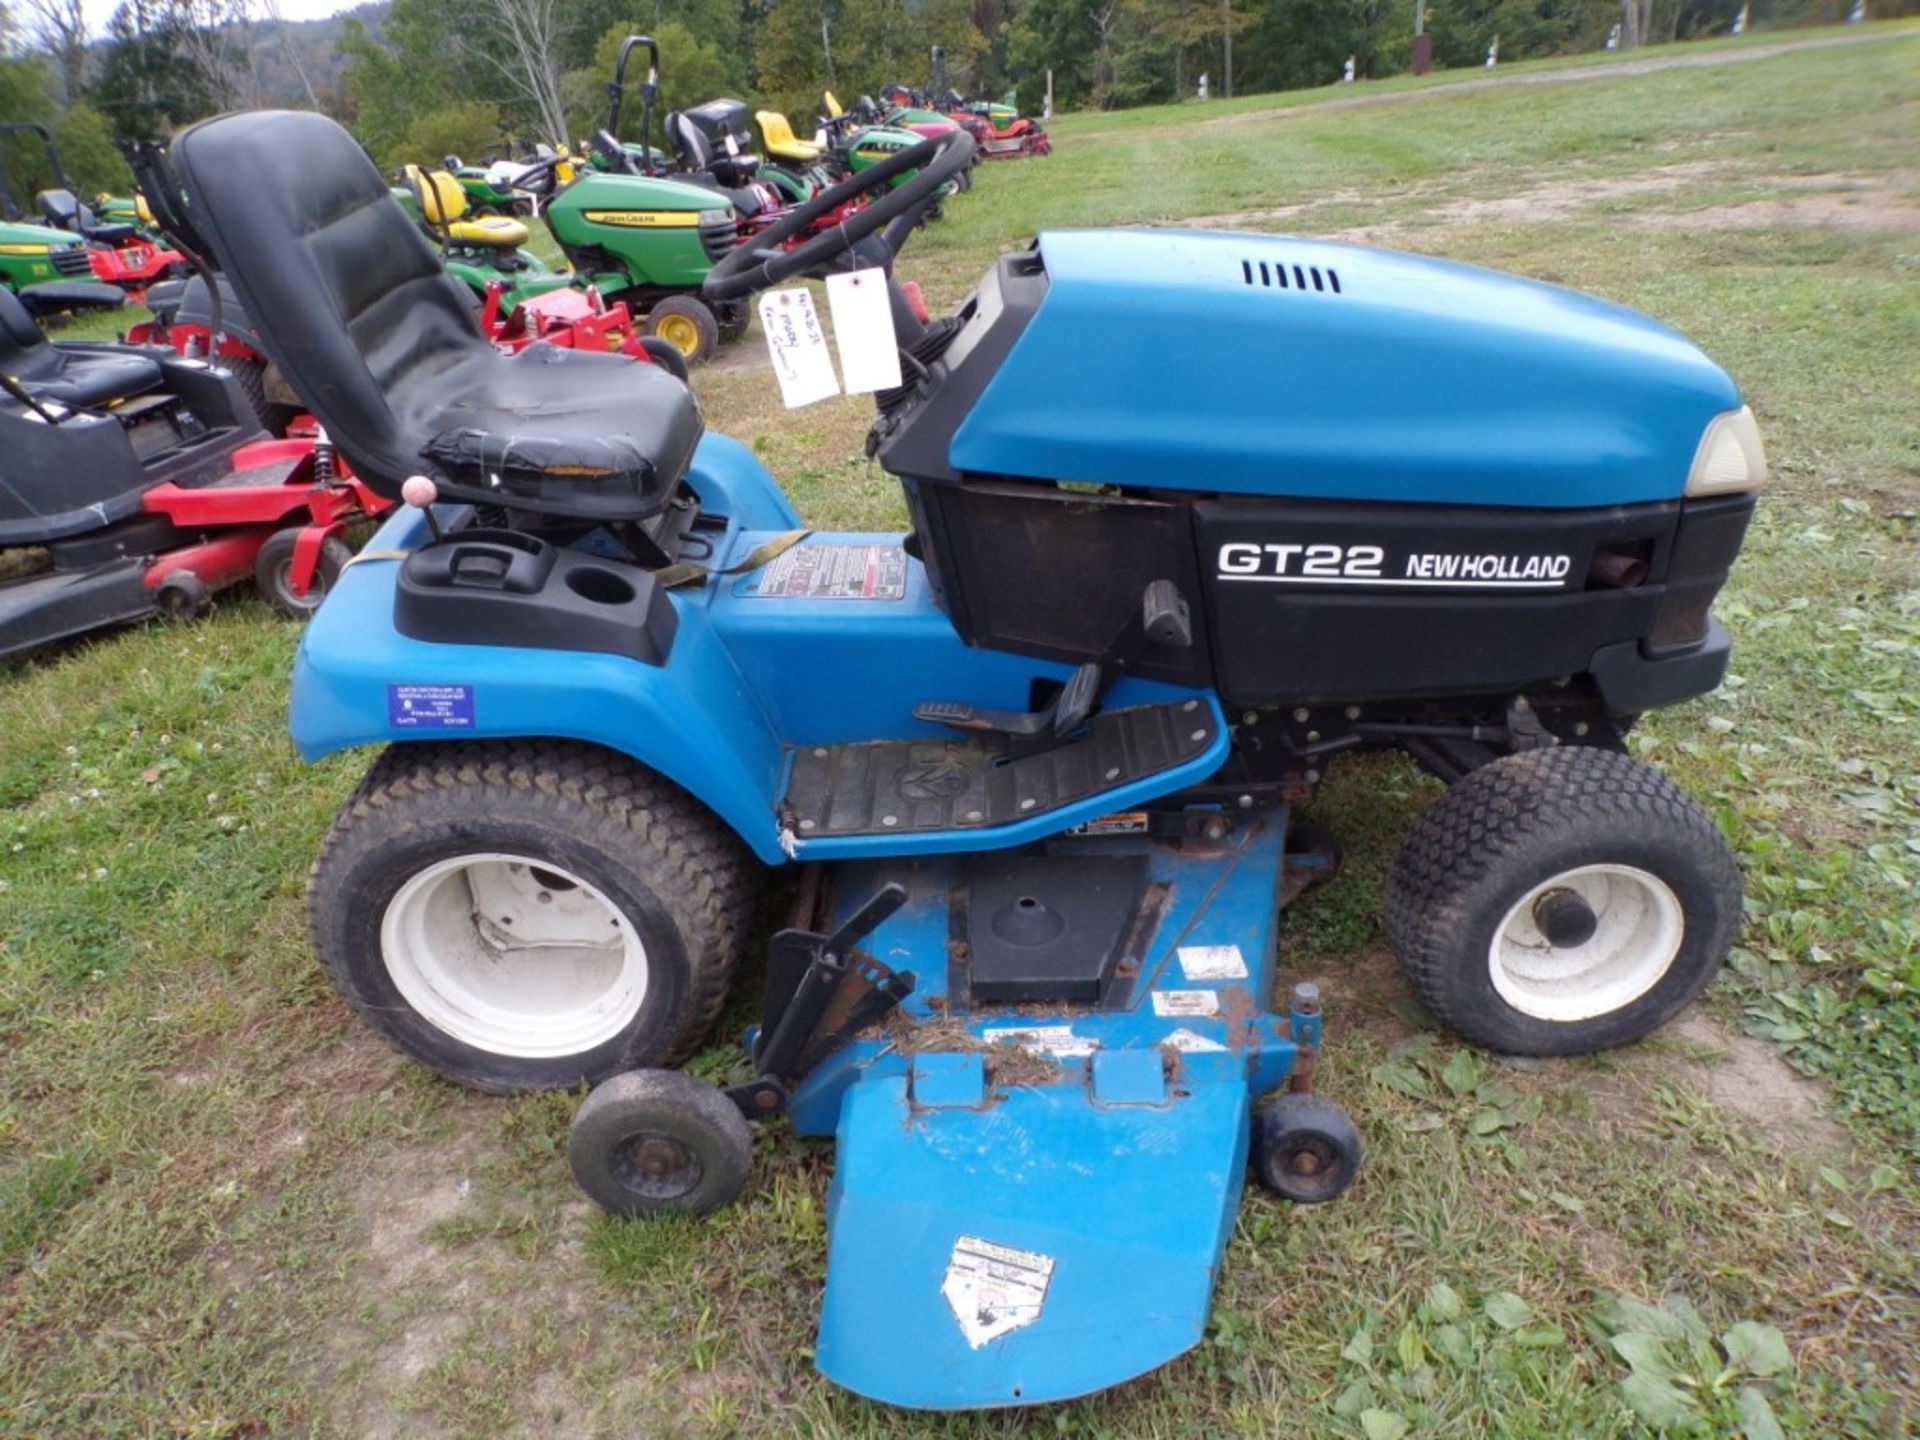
{"x":1314,"y":602}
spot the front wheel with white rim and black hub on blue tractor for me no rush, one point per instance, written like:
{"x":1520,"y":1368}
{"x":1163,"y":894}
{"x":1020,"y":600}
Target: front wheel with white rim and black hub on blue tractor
{"x":1562,"y":901}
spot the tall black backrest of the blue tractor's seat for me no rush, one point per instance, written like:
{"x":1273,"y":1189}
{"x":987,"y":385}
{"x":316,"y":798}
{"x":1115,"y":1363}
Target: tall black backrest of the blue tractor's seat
{"x":348,"y":297}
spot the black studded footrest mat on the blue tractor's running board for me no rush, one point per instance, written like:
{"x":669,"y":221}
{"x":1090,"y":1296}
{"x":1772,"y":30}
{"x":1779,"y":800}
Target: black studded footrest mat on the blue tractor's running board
{"x":894,"y":786}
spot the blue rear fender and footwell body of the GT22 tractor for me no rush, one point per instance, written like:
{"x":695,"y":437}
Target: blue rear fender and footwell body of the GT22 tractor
{"x":746,"y":681}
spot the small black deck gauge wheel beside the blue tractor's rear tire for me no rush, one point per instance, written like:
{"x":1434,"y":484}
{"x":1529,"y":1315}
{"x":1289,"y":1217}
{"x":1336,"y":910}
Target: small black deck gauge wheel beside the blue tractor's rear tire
{"x":660,"y":1143}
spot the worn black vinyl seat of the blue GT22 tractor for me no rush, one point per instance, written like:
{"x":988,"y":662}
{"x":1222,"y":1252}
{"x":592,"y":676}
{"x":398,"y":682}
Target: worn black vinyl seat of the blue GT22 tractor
{"x":381,"y":343}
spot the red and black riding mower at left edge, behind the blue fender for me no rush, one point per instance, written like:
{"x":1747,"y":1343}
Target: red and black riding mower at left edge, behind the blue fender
{"x":137,"y":481}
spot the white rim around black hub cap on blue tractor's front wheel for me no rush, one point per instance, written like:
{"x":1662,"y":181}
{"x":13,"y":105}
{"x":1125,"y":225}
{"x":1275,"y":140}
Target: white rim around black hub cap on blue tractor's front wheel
{"x":1637,"y":938}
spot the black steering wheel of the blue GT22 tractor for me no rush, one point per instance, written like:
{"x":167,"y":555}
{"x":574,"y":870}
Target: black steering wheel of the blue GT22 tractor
{"x":763,"y":262}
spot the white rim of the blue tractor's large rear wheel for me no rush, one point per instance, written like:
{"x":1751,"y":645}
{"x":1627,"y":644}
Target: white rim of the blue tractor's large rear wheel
{"x":514,"y":957}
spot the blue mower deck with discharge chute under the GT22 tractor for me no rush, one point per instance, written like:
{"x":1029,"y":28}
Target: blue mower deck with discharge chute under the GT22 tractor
{"x":1022,"y":1176}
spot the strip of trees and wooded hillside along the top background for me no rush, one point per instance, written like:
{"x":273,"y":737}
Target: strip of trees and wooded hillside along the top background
{"x":420,"y":80}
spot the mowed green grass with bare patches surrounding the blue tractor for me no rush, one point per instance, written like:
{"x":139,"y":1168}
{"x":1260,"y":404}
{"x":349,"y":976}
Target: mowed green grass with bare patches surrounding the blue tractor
{"x":226,"y":1211}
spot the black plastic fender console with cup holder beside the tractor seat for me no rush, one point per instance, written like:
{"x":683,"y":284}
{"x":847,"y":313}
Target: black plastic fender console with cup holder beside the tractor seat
{"x":510,"y":588}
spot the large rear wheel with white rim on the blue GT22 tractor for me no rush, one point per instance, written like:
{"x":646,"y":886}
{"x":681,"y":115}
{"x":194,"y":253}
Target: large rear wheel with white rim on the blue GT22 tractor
{"x":529,"y":915}
